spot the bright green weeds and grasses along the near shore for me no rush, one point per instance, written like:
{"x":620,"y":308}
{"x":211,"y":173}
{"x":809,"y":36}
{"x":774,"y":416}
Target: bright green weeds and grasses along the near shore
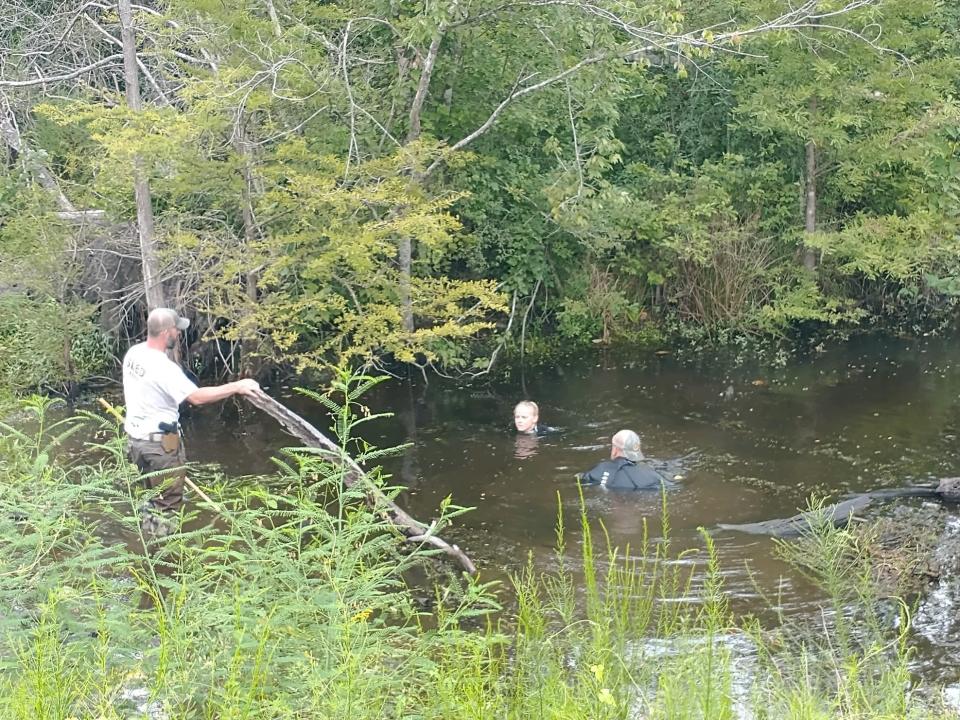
{"x":290,"y":600}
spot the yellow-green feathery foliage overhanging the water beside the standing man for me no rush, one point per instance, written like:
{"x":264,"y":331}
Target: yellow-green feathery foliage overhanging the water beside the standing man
{"x":330,"y":285}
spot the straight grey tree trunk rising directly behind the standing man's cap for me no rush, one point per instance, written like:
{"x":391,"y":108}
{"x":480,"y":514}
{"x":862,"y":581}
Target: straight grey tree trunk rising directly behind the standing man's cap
{"x":152,"y":284}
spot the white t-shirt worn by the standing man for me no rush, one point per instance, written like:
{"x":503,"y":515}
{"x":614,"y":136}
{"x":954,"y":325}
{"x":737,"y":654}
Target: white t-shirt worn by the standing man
{"x":153,"y":388}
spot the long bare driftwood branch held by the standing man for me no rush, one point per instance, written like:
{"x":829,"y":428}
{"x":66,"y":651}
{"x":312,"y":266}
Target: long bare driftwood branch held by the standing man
{"x":353,"y":475}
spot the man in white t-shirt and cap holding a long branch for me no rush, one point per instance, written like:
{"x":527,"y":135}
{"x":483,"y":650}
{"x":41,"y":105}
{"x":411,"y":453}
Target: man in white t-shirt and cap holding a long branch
{"x":153,"y":388}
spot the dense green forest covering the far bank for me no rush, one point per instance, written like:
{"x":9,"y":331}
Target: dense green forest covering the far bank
{"x":442,"y":183}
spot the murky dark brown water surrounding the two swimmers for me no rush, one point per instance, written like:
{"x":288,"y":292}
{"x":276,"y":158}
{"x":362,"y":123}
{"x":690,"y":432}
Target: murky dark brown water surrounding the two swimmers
{"x":754,"y":443}
